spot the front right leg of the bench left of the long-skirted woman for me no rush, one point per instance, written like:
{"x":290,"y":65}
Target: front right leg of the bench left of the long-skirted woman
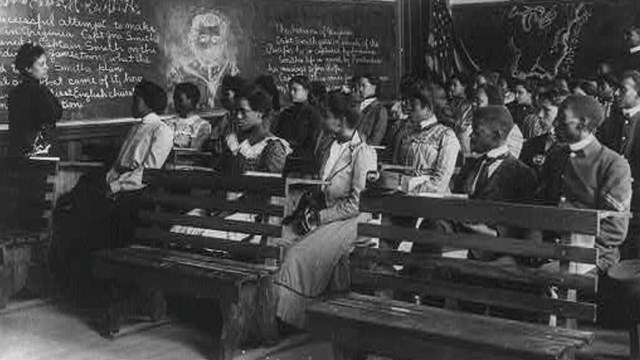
{"x":237,"y":320}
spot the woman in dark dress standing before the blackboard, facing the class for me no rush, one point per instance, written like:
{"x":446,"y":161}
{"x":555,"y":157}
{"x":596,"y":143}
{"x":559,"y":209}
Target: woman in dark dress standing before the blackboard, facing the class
{"x":33,"y":109}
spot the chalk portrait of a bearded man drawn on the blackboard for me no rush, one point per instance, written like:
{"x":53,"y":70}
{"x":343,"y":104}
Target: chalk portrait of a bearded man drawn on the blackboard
{"x":207,"y":54}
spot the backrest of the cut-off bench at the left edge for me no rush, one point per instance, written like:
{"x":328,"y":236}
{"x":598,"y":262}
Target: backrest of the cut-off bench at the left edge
{"x":27,"y":190}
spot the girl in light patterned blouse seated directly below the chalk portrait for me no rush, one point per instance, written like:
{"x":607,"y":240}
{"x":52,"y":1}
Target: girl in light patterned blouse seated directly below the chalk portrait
{"x":190,"y":130}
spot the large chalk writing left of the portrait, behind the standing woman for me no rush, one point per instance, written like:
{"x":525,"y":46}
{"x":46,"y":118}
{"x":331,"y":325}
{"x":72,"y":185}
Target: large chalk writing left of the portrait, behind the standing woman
{"x":97,"y":50}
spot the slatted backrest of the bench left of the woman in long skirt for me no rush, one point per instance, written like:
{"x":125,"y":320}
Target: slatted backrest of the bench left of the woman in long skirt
{"x":236,"y":214}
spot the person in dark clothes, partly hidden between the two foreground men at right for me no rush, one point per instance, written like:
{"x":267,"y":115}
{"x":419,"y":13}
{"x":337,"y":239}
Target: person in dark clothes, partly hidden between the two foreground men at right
{"x":535,"y":150}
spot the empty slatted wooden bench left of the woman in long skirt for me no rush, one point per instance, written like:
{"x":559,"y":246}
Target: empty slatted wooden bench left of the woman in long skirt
{"x":219,"y":258}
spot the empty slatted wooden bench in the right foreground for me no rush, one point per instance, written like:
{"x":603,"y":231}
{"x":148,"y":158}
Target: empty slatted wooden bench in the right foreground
{"x":469,"y":290}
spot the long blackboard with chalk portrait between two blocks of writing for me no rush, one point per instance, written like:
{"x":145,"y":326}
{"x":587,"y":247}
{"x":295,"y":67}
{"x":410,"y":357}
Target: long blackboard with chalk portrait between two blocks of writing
{"x":99,"y":49}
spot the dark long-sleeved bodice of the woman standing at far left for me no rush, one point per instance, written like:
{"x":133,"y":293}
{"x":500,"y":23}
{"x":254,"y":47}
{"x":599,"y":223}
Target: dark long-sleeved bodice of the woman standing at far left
{"x":33,"y":109}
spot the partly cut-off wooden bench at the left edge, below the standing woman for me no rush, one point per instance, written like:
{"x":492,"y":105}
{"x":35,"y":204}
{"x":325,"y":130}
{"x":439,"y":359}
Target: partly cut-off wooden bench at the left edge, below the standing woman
{"x":27,"y":189}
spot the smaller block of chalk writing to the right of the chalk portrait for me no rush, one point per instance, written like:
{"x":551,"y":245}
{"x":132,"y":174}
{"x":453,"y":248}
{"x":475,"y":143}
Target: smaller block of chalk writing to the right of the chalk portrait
{"x":323,"y":53}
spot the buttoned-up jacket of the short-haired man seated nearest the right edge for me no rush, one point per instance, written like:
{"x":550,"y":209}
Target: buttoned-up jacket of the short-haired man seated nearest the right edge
{"x":601,"y":179}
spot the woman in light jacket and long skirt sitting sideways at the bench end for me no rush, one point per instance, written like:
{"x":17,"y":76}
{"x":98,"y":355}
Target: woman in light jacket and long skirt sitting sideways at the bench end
{"x":327,"y":222}
